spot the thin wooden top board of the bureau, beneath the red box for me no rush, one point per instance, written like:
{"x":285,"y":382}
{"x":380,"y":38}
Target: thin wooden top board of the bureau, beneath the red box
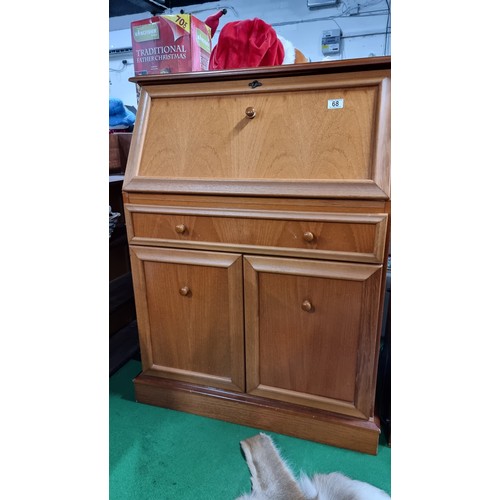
{"x":341,"y":66}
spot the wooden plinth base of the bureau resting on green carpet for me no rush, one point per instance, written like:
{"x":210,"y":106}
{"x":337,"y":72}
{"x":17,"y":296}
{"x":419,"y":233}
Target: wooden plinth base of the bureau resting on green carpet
{"x":276,"y":416}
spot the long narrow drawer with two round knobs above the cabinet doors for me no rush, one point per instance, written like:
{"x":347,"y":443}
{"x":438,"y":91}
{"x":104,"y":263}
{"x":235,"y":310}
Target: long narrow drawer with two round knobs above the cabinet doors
{"x":340,"y":236}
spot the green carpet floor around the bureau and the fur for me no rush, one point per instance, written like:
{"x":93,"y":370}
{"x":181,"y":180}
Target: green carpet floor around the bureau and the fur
{"x":157,"y":453}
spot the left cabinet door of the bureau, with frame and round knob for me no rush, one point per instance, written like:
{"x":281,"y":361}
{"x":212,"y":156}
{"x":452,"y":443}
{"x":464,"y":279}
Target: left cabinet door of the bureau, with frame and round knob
{"x":190,"y":315}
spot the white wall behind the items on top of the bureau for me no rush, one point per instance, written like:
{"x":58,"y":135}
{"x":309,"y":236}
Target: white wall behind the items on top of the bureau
{"x":365,"y":26}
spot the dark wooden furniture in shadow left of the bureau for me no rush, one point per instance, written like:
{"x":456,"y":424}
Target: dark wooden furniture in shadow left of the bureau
{"x":123,"y":336}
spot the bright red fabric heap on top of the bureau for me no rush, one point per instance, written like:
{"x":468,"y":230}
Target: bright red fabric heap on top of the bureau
{"x":247,"y":44}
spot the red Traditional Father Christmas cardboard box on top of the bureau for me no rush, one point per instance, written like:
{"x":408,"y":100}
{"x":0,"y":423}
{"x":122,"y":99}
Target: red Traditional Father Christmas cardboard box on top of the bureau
{"x":178,"y":43}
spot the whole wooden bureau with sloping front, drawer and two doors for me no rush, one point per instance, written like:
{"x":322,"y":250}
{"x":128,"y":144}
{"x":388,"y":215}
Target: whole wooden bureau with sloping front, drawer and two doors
{"x":257,"y":205}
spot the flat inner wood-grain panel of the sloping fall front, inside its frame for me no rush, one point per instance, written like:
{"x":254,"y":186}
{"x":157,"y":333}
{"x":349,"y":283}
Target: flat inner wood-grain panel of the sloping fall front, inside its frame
{"x":228,"y":145}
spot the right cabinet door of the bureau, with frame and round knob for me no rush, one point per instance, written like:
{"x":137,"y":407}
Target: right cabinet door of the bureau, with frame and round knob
{"x":312,"y":332}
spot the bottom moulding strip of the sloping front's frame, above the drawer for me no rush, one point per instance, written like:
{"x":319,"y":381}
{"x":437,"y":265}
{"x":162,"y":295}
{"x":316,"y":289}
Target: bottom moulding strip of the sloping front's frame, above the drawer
{"x":356,"y":189}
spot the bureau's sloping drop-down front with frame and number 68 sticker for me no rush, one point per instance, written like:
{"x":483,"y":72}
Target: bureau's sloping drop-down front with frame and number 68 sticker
{"x":313,"y":136}
